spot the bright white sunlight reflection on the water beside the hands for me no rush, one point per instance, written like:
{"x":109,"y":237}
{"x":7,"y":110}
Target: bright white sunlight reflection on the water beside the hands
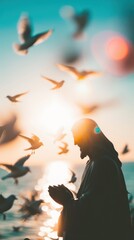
{"x":56,"y":173}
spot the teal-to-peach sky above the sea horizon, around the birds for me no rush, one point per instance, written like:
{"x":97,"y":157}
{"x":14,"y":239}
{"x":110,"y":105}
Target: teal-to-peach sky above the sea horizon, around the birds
{"x":106,"y":46}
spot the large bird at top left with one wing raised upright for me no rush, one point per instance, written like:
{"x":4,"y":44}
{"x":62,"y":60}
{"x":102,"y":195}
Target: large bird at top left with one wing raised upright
{"x":26,"y":38}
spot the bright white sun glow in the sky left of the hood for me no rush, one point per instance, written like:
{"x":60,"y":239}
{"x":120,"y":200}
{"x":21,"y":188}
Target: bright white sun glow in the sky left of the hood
{"x":56,"y":114}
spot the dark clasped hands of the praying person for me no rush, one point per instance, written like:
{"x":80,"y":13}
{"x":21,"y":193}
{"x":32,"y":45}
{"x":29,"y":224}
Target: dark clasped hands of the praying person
{"x":60,"y":194}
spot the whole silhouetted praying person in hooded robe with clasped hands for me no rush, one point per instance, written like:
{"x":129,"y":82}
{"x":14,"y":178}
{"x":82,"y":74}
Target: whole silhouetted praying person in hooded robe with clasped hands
{"x":101,"y":210}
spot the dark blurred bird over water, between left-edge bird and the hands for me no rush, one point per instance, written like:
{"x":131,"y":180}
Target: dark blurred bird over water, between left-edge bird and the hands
{"x":33,"y":209}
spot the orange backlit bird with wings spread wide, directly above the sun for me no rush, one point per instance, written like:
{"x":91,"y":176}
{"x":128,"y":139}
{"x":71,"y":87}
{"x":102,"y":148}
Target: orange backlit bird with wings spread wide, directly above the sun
{"x":79,"y":75}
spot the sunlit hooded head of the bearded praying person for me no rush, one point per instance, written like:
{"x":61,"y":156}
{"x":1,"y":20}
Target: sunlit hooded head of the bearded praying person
{"x":92,"y":142}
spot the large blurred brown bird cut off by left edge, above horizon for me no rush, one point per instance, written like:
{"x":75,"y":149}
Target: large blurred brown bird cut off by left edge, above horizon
{"x":9,"y":131}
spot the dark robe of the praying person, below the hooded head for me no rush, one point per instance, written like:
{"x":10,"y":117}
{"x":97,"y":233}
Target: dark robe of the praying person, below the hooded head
{"x":101,"y":211}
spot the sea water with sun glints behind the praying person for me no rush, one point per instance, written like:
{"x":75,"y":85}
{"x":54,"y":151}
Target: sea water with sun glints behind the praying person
{"x":42,"y":227}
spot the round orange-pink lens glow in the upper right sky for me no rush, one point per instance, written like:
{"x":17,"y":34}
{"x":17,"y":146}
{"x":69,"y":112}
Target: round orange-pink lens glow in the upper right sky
{"x":117,"y":48}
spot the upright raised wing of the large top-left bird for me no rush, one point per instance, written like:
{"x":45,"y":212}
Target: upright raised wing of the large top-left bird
{"x":24,"y":28}
